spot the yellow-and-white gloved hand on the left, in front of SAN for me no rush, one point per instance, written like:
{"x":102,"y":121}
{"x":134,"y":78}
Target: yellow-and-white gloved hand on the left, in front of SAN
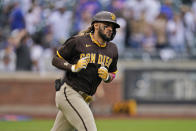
{"x":81,"y":64}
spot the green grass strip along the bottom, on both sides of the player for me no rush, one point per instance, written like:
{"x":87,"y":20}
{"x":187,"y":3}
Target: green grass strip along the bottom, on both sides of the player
{"x":108,"y":125}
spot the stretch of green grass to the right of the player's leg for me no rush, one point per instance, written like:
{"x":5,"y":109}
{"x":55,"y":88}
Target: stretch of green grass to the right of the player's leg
{"x":147,"y":125}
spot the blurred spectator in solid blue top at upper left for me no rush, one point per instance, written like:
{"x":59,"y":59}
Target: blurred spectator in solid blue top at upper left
{"x":17,"y":20}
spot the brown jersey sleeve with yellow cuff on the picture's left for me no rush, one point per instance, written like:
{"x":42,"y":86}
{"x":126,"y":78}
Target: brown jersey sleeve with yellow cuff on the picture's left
{"x":67,"y":50}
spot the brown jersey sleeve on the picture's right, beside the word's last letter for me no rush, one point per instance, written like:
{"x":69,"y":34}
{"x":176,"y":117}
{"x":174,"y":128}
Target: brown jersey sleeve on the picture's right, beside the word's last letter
{"x":113,"y":66}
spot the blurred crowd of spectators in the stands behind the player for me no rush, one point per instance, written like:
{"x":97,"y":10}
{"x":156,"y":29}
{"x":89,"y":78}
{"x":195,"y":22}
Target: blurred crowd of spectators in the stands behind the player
{"x":32,"y":30}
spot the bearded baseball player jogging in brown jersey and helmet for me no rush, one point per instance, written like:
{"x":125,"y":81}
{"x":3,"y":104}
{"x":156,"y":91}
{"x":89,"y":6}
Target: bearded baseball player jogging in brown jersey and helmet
{"x":87,"y":58}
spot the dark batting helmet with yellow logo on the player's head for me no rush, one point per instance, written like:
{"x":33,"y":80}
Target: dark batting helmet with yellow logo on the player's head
{"x":105,"y":16}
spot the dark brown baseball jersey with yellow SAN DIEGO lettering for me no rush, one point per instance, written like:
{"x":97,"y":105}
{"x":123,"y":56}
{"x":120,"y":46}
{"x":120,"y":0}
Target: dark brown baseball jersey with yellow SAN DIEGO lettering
{"x":87,"y":80}
